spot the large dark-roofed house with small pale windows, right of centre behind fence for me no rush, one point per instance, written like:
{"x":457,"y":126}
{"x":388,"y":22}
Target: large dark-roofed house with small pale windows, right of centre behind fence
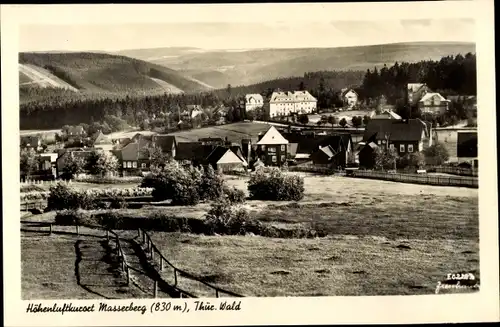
{"x":404,"y":136}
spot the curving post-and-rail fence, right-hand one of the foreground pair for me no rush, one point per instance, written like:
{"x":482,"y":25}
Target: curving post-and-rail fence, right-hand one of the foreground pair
{"x":153,"y":250}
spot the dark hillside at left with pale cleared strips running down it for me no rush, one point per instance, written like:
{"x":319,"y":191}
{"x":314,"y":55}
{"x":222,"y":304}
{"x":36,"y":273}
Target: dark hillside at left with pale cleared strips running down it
{"x":99,"y":73}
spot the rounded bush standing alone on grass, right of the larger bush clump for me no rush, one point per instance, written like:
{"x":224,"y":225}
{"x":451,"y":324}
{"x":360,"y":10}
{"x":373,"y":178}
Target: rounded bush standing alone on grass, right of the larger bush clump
{"x":274,"y":185}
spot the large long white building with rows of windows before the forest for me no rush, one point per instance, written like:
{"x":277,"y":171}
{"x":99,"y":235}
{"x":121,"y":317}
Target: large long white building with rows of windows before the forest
{"x":285,"y":103}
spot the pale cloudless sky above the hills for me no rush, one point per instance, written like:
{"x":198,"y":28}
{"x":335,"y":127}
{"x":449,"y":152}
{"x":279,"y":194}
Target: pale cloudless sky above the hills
{"x":245,"y":35}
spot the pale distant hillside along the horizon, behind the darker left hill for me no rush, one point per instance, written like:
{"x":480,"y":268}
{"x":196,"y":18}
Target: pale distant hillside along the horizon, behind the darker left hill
{"x":222,"y":67}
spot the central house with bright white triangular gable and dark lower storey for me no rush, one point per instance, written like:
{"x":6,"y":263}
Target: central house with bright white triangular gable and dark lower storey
{"x":272,"y":148}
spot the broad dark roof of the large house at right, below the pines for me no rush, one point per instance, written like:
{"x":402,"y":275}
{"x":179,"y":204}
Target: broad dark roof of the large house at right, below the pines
{"x":398,"y":130}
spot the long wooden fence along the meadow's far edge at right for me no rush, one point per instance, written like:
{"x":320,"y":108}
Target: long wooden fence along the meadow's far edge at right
{"x":419,"y":179}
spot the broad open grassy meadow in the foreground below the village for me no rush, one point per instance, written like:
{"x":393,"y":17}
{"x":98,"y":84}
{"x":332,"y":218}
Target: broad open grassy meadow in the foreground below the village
{"x":379,"y":233}
